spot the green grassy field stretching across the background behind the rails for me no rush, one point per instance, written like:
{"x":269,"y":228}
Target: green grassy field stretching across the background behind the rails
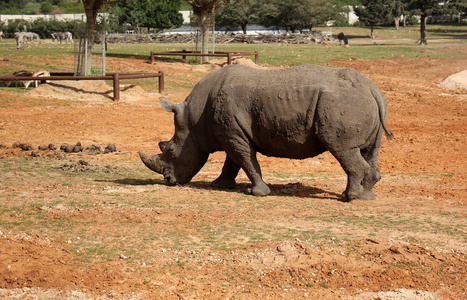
{"x":388,"y":43}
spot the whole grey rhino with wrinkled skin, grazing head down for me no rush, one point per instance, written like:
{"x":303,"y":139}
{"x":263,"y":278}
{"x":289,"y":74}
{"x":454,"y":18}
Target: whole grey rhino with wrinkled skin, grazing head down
{"x":295,"y":113}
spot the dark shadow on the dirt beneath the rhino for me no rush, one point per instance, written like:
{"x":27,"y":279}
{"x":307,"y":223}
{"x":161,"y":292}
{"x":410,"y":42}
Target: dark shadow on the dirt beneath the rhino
{"x":290,"y":189}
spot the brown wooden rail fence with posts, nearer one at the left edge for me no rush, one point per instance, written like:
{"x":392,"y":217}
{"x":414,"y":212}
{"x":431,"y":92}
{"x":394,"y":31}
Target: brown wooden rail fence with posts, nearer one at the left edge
{"x":115,"y":77}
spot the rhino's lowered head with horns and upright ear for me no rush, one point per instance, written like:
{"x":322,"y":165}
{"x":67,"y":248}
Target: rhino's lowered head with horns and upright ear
{"x":181,"y":158}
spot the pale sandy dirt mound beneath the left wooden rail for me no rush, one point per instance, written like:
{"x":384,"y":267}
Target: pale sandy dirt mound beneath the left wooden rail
{"x":89,"y":90}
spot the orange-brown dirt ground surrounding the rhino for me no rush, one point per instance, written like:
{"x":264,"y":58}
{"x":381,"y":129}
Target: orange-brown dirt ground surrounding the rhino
{"x":424,"y":183}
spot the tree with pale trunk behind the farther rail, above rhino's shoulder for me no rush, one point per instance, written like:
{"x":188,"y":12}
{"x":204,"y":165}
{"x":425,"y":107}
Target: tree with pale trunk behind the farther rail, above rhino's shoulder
{"x":205,"y":11}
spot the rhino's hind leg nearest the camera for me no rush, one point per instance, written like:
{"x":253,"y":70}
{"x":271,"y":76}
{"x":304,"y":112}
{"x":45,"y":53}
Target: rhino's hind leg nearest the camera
{"x":356,"y":168}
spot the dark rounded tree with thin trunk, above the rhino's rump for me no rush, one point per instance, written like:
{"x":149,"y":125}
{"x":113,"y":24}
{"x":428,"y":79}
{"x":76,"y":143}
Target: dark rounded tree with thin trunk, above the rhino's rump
{"x":375,"y":12}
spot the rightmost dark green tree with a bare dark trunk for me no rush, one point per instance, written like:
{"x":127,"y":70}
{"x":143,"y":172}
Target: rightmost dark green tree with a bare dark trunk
{"x":426,"y":8}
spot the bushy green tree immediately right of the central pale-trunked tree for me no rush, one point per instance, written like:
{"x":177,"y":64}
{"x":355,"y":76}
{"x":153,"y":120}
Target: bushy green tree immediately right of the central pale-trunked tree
{"x":233,"y":15}
